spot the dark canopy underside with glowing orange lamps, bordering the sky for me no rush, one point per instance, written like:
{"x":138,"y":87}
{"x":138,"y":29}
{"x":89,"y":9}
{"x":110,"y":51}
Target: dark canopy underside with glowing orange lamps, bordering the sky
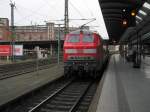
{"x":115,"y":12}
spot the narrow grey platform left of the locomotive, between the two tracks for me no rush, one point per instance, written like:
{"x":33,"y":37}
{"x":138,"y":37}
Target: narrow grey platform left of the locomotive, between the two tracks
{"x":14,"y":87}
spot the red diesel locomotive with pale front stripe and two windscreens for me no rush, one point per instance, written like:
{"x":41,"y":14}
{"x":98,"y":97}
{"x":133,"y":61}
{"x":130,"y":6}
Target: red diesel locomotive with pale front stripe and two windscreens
{"x":83,"y":52}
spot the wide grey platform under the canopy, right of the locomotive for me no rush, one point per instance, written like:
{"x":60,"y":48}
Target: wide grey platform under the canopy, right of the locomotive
{"x":124,"y":88}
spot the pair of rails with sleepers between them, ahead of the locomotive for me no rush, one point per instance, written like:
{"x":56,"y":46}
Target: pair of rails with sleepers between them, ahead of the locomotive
{"x":75,"y":96}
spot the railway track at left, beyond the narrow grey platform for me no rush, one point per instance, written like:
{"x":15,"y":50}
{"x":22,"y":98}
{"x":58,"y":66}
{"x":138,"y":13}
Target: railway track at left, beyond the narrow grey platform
{"x":12,"y":70}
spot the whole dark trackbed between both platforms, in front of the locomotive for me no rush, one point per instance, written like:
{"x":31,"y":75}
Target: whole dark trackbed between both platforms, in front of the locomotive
{"x":61,"y":96}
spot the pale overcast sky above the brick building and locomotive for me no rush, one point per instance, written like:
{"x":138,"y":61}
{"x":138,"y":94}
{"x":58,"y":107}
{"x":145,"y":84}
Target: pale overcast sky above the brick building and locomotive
{"x":33,"y":12}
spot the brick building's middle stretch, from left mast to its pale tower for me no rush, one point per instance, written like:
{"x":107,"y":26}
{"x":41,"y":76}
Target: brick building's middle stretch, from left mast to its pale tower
{"x":35,"y":33}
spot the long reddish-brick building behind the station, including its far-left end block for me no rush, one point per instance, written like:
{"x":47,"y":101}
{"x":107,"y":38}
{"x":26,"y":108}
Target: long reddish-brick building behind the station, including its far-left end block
{"x":31,"y":33}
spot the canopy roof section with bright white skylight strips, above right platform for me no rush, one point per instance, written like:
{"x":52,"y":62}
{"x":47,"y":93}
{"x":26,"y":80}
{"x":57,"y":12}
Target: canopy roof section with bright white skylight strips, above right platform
{"x":142,"y":26}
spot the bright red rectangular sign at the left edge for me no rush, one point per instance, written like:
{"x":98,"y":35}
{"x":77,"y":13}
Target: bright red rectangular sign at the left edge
{"x":5,"y":50}
